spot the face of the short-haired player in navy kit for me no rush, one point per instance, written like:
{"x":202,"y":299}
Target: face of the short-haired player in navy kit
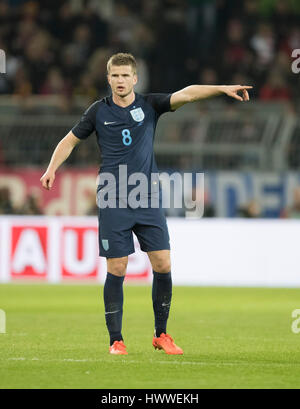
{"x":121,"y":79}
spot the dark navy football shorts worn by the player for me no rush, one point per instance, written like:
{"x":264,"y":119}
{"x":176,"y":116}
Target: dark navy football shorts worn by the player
{"x":116,"y":226}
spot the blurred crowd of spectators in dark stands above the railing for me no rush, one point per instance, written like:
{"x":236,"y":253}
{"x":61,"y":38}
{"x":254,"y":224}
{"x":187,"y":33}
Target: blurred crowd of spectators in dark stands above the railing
{"x":61,"y":47}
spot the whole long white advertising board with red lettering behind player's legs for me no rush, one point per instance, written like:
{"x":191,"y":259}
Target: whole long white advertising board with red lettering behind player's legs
{"x":60,"y":249}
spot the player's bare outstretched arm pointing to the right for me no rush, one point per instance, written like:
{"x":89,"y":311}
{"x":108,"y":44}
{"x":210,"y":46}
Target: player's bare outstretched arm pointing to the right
{"x":196,"y":92}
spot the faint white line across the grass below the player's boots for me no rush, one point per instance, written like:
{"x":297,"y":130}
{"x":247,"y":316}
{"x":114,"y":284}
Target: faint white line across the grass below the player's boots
{"x":151,"y":361}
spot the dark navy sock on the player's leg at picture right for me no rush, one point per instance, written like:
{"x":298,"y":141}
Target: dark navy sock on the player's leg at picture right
{"x":161,"y":298}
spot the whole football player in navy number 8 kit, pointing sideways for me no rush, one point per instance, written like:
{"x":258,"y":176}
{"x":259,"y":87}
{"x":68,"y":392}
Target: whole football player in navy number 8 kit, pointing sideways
{"x":125,"y":125}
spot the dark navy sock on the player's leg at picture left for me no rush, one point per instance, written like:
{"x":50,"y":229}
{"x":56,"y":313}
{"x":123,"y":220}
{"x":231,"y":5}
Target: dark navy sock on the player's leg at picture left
{"x":113,"y":302}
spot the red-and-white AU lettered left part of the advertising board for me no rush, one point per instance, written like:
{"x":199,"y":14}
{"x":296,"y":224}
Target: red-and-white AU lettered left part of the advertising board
{"x":59,"y":249}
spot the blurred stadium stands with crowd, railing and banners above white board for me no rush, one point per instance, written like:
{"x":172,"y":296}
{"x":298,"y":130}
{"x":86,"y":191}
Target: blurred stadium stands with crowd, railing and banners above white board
{"x":56,"y":63}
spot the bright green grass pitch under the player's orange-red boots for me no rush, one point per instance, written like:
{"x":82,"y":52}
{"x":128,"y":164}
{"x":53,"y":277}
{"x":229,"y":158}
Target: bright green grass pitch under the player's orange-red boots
{"x":232,"y":338}
